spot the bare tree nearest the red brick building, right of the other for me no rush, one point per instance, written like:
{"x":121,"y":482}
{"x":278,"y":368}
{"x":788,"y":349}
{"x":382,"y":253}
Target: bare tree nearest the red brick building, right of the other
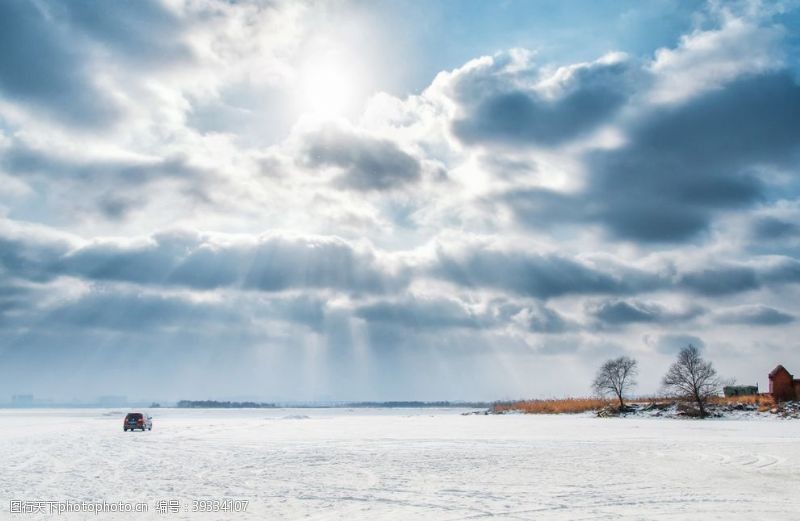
{"x":692,"y":378}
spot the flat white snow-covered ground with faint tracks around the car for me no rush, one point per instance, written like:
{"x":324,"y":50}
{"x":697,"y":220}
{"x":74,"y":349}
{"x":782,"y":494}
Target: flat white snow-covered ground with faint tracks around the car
{"x":403,"y":464}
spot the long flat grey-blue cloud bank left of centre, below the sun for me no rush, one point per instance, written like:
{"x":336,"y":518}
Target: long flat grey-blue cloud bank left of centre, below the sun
{"x":269,"y":264}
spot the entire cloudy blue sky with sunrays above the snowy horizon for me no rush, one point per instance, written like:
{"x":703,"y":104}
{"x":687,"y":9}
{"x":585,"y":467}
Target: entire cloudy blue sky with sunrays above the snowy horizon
{"x":394,"y":200}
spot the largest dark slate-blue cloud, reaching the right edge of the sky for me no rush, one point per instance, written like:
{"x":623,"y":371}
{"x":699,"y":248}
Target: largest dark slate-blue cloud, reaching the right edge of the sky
{"x":682,"y":165}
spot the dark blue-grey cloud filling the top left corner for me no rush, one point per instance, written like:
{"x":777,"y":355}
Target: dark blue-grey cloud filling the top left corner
{"x":53,"y":53}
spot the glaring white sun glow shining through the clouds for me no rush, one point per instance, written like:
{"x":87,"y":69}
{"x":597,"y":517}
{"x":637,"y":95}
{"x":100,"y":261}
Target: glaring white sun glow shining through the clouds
{"x":328,"y":86}
